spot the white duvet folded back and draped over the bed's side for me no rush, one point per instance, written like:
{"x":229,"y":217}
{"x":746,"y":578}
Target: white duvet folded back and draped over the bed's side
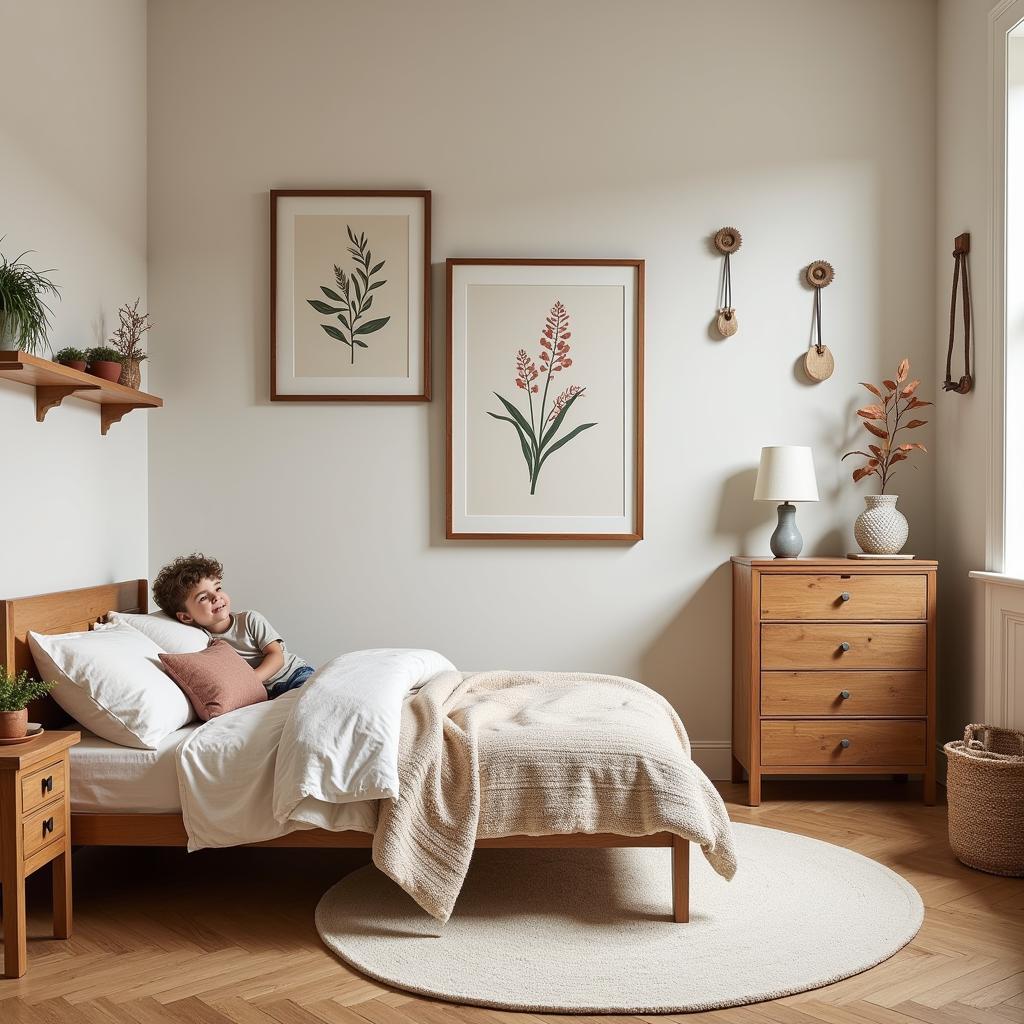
{"x":318,"y":757}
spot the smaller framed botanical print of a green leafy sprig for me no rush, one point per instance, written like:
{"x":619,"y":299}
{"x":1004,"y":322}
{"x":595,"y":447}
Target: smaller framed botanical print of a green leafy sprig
{"x":350,"y":296}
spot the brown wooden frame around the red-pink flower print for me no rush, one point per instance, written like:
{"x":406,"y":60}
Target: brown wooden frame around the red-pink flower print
{"x":635,"y":533}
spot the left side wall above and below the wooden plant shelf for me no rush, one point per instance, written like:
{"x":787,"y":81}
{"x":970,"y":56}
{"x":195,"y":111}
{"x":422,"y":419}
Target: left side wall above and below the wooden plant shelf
{"x":73,"y":188}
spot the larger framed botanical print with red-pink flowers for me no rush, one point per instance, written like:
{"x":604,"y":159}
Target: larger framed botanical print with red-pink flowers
{"x":545,"y":400}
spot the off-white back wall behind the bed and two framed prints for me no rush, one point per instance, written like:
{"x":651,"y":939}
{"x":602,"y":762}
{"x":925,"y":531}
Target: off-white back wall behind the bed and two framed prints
{"x":809,"y":126}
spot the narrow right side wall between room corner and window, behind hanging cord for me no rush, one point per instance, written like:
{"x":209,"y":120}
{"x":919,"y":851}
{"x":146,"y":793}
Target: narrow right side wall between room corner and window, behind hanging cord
{"x":964,"y":197}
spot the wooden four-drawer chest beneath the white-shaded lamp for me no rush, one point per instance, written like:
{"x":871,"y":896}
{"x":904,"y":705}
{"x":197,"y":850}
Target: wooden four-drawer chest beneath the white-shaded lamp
{"x":833,"y":669}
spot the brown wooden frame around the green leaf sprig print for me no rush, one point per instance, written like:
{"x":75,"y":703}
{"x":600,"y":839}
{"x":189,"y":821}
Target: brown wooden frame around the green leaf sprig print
{"x":422,"y":392}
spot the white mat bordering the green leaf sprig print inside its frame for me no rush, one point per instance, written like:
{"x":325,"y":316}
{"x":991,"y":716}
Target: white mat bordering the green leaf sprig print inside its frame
{"x":287,"y":209}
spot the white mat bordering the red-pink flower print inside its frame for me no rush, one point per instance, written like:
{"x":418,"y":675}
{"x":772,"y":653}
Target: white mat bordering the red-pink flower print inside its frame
{"x":463,"y":276}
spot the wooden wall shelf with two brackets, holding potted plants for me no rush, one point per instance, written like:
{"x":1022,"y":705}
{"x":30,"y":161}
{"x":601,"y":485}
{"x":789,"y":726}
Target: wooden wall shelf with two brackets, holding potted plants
{"x":55,"y":382}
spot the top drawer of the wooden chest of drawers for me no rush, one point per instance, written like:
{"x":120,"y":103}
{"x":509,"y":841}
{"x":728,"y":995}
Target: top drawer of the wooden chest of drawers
{"x":844,"y":596}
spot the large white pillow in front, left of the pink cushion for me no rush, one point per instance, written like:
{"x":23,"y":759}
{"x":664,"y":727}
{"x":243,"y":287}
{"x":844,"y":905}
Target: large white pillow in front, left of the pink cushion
{"x":111,"y":682}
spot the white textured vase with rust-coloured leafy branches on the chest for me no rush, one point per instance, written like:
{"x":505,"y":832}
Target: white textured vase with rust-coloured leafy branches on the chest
{"x":882,"y":529}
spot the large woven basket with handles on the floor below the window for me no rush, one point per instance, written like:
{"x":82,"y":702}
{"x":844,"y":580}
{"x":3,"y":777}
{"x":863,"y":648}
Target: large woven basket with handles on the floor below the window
{"x":986,"y":787}
